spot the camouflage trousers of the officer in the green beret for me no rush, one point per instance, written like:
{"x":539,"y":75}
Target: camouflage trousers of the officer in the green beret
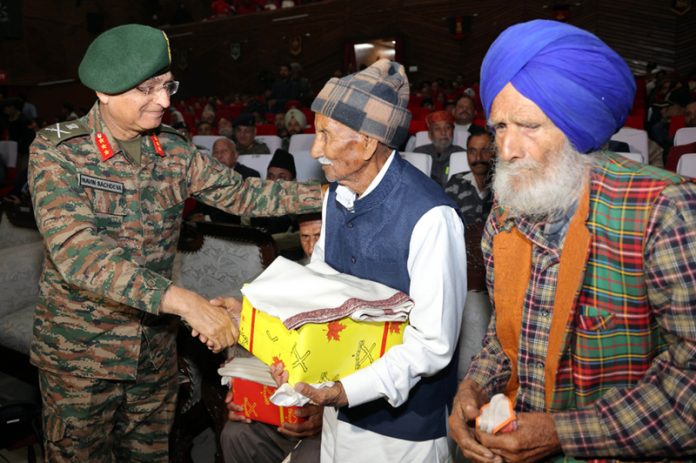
{"x":96,"y":420}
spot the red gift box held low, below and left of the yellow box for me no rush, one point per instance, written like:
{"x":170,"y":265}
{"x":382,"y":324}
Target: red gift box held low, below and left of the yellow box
{"x":255,"y":400}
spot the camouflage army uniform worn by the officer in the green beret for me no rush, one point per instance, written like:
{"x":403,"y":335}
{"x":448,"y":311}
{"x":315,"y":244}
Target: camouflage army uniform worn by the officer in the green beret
{"x":110,"y":230}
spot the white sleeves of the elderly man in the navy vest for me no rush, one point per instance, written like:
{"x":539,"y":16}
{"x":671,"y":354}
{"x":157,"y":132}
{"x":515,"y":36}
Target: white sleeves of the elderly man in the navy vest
{"x":437,"y":268}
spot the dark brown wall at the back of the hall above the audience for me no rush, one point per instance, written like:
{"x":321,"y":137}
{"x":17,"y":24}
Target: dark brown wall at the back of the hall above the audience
{"x":55,"y":38}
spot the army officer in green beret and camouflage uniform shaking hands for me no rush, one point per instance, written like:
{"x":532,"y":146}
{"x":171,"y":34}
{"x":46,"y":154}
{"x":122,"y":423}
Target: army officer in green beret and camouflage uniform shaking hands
{"x":108,"y":192}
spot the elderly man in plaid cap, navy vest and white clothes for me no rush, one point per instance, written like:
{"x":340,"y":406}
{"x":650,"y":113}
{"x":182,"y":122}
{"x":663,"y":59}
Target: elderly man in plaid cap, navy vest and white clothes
{"x":386,"y":221}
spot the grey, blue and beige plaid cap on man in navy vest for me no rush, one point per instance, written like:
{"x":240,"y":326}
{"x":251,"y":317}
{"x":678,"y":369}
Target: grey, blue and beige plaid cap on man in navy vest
{"x":372,"y":101}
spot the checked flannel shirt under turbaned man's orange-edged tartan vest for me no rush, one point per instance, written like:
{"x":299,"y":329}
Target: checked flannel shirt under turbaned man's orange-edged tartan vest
{"x":654,"y":413}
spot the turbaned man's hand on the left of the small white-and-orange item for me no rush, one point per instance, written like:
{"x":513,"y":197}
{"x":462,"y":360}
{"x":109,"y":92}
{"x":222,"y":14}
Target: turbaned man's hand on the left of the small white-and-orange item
{"x":466,"y":407}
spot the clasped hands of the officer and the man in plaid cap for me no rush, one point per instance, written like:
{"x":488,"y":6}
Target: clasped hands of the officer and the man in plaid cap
{"x":214,"y":322}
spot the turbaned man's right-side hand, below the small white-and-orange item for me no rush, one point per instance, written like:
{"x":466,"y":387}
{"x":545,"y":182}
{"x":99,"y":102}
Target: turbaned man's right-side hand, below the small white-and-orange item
{"x":534,"y":440}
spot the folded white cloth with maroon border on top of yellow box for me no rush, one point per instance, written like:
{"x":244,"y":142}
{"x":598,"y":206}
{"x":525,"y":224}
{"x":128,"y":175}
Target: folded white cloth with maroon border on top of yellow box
{"x":317,"y":293}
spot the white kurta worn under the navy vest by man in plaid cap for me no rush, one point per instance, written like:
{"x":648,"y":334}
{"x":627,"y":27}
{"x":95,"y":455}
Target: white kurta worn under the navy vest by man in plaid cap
{"x":437,"y":270}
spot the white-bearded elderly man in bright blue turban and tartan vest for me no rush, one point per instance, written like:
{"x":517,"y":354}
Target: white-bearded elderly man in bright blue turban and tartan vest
{"x":590,"y":262}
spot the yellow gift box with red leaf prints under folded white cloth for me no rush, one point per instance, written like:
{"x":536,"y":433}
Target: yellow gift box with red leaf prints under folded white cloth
{"x":316,"y":352}
